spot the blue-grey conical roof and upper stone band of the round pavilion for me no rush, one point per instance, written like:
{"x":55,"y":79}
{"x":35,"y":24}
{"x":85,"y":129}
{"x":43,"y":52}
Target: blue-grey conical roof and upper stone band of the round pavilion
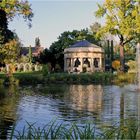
{"x":83,"y":46}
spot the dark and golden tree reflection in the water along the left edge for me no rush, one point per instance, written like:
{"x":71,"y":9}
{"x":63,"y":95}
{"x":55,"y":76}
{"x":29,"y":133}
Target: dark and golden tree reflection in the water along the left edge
{"x":8,"y":109}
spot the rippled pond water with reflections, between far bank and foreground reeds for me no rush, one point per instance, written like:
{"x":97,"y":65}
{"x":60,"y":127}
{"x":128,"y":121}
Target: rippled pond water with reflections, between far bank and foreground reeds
{"x":97,"y":104}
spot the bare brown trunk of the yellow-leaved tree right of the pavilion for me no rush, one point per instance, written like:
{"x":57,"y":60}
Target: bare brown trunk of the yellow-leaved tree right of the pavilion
{"x":122,"y":61}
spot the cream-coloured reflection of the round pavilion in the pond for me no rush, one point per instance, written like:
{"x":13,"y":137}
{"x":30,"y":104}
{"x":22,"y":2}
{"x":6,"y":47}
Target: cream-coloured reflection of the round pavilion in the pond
{"x":86,"y":97}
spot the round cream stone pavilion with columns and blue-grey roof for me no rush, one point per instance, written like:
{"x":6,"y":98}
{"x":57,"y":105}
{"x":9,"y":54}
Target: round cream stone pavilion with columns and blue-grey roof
{"x":83,"y":57}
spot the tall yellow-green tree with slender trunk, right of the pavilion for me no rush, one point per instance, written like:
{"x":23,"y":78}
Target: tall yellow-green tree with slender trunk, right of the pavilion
{"x":122,"y":20}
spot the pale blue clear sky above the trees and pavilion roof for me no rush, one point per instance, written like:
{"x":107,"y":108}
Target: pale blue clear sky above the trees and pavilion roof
{"x":53,"y":17}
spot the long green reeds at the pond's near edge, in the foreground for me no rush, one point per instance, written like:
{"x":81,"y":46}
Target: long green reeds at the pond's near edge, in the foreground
{"x":54,"y":130}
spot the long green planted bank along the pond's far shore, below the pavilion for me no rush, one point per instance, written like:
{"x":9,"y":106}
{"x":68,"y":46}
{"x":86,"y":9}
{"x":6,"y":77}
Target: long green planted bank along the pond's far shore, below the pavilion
{"x":83,"y":78}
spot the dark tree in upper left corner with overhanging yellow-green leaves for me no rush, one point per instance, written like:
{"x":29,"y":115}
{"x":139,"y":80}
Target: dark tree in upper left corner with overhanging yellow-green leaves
{"x":8,"y":10}
